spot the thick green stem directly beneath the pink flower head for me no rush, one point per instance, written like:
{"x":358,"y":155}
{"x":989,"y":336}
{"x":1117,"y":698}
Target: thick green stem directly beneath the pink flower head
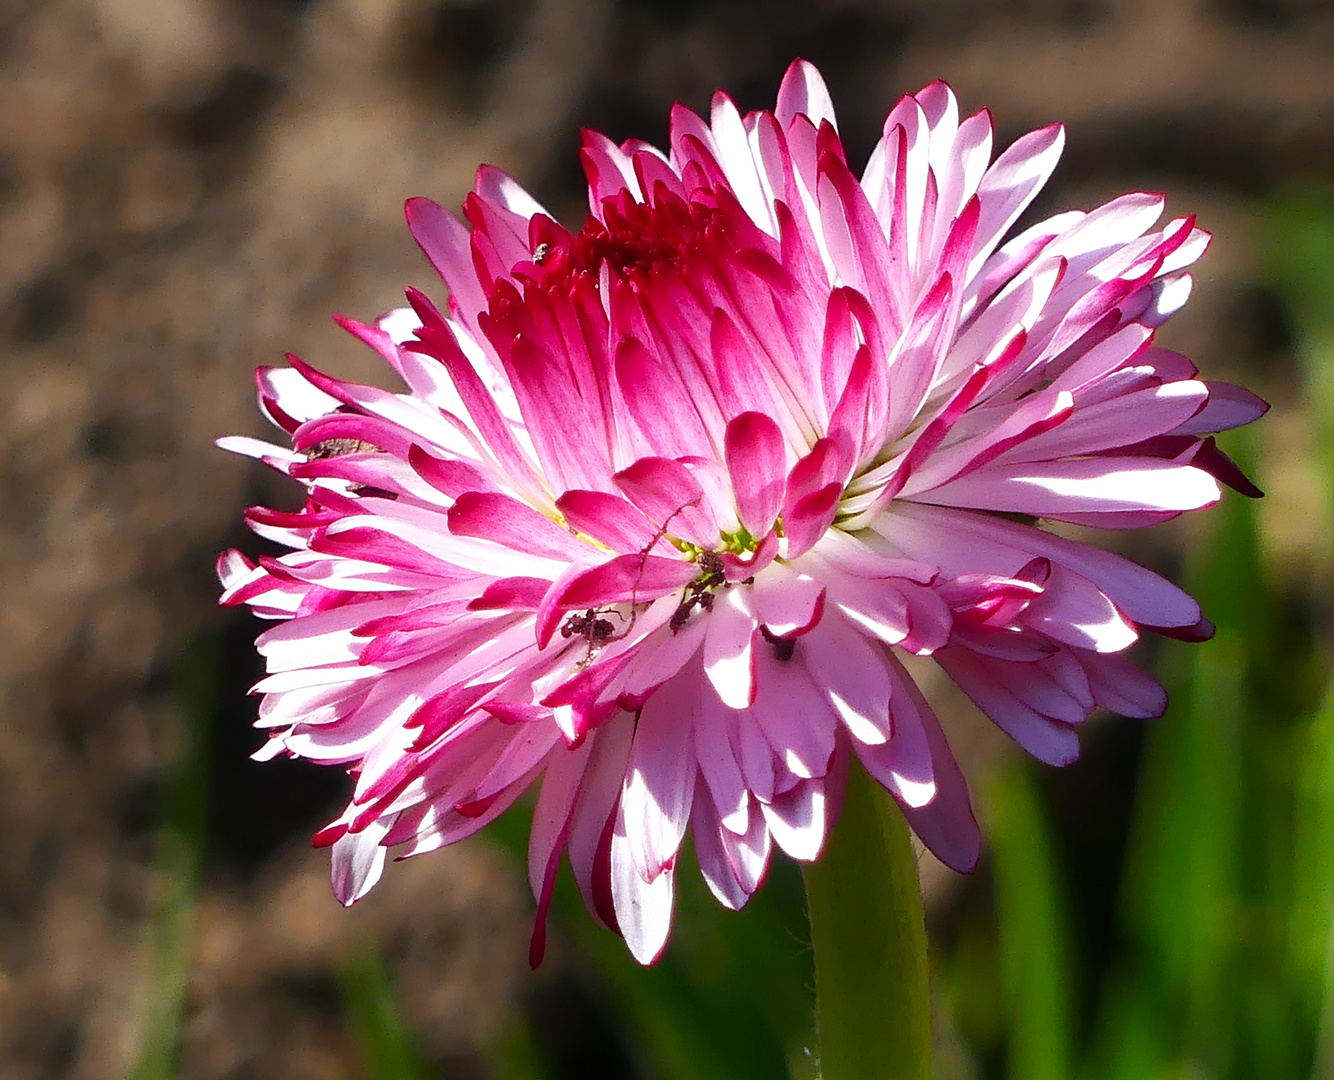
{"x":872,"y":987}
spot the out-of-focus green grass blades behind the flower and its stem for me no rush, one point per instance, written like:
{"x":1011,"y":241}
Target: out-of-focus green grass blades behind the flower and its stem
{"x":1223,"y":954}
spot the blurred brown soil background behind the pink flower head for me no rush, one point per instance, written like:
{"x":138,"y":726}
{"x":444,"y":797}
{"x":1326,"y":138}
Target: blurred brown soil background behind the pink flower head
{"x":190,"y":187}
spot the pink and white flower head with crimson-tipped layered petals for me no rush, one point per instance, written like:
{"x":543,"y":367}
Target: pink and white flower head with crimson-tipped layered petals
{"x":668,"y":501}
